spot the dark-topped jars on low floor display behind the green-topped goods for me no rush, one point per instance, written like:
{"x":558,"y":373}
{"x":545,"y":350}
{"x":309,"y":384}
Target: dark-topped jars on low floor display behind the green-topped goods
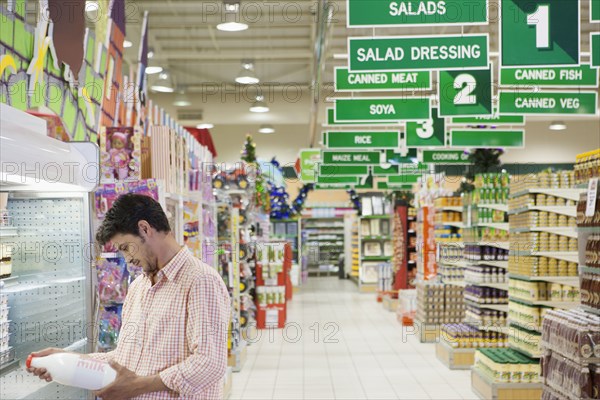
{"x":467,"y":337}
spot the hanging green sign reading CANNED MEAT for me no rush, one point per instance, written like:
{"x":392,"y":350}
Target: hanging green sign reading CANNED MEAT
{"x":380,"y":81}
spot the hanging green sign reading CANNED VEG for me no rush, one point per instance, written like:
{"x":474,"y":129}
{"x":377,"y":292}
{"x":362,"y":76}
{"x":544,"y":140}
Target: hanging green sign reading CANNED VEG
{"x":549,"y":103}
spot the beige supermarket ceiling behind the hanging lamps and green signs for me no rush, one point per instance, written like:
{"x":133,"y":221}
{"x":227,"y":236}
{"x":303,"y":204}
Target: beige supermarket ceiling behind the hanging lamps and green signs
{"x":281,"y":41}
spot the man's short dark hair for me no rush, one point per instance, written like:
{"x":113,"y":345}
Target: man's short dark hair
{"x":126,"y":212}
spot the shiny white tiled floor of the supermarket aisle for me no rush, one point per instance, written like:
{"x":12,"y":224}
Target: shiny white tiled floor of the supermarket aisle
{"x":369,"y":361}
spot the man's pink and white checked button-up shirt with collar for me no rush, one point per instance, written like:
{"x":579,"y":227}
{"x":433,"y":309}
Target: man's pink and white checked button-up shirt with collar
{"x":178,"y":329}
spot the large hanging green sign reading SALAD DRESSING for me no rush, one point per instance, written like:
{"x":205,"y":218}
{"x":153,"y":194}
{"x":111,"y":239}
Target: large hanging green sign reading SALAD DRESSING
{"x":398,"y":53}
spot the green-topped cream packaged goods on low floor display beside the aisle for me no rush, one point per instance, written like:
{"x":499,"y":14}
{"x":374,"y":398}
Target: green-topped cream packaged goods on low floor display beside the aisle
{"x":507,"y":366}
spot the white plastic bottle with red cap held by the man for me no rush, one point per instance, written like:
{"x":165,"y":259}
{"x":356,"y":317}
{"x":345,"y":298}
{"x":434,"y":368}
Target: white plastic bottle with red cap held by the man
{"x":74,"y":370}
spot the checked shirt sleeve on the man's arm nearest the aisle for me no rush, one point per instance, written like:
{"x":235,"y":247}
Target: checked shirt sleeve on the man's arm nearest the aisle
{"x":208,"y":315}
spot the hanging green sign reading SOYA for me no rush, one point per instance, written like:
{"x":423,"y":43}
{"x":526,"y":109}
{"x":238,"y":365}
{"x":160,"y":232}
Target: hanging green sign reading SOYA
{"x":389,"y":109}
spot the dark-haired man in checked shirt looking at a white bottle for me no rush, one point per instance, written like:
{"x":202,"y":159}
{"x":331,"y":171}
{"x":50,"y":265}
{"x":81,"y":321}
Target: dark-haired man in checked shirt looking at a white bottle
{"x":173,"y":340}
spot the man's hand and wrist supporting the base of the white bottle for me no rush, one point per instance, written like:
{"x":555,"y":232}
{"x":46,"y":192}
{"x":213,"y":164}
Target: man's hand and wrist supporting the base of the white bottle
{"x":127,"y":384}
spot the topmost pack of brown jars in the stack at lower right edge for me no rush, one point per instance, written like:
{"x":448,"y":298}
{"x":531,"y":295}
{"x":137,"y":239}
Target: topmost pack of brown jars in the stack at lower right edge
{"x":574,"y":334}
